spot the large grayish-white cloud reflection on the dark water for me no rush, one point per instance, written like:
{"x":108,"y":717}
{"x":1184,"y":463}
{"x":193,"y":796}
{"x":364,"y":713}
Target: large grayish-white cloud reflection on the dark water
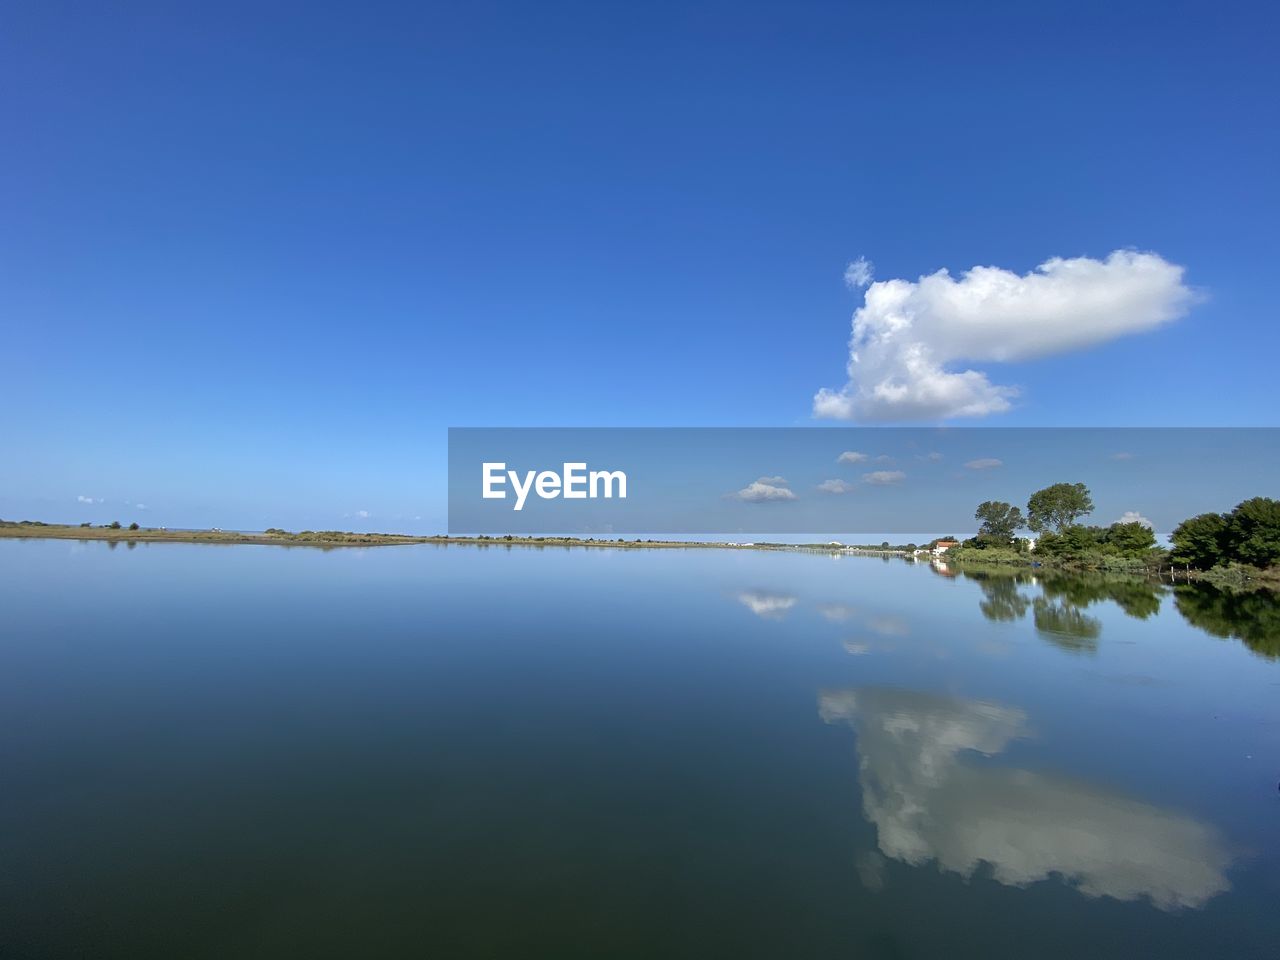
{"x":930,"y":803}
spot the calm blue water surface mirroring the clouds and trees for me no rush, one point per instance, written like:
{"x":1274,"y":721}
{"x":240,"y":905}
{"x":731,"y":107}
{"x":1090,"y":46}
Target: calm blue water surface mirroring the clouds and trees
{"x":257,"y":752}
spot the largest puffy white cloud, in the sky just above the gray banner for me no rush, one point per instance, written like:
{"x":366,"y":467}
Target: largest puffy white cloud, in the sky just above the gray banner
{"x":908,"y":337}
